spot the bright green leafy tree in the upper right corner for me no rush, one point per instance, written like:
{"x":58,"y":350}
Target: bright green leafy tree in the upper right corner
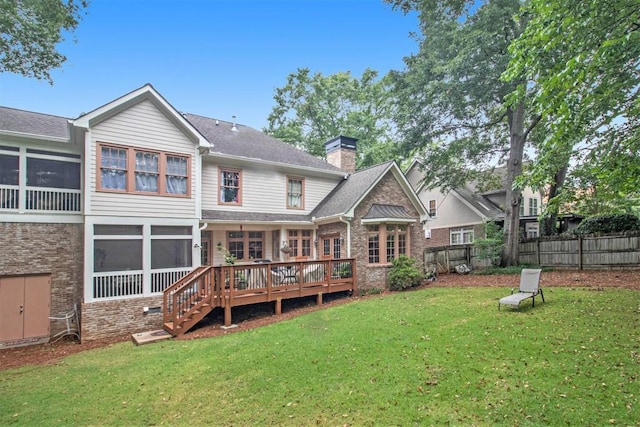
{"x":581,"y":63}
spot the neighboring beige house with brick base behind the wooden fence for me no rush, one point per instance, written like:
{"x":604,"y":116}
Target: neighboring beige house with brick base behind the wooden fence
{"x":458,"y":216}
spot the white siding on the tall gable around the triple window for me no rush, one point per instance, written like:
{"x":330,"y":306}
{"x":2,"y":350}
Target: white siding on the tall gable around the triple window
{"x":142,"y":126}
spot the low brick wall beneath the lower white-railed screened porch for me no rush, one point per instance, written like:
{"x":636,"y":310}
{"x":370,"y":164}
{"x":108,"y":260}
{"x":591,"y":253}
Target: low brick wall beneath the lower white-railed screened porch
{"x":104,"y":319}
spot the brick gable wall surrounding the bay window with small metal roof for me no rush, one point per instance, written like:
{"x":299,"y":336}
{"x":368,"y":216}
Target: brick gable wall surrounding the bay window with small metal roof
{"x":388,"y":191}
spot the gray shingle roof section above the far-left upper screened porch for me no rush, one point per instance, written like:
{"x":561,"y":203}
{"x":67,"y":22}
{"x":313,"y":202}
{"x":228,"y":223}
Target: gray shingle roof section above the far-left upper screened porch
{"x":27,"y":122}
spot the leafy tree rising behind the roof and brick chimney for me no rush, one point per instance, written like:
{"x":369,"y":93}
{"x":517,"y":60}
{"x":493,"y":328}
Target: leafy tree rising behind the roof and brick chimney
{"x":312,"y":108}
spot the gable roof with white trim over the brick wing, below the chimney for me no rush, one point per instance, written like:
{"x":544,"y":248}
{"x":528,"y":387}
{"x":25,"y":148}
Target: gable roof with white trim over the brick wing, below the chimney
{"x":344,"y":199}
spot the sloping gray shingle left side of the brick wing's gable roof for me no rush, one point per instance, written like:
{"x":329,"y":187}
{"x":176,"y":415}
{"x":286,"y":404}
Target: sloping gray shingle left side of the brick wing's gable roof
{"x":350,"y":191}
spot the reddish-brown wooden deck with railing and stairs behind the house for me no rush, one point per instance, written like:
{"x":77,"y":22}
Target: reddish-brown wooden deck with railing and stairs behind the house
{"x":190,"y":299}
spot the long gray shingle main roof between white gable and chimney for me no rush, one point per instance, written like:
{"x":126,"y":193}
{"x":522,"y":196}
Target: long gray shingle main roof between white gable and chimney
{"x":251,"y":143}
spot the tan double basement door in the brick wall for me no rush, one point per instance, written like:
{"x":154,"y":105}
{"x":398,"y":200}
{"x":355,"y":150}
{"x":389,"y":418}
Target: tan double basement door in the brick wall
{"x":24,"y":310}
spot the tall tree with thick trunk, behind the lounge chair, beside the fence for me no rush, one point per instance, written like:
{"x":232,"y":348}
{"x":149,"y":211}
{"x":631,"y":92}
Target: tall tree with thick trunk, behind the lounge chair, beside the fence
{"x":452,"y":101}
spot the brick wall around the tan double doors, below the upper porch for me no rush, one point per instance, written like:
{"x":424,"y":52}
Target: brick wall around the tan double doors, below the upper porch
{"x":55,"y":249}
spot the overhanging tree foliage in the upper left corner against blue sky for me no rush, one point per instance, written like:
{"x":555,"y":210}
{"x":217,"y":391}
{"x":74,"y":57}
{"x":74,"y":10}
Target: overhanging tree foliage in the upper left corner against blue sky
{"x":30,"y":31}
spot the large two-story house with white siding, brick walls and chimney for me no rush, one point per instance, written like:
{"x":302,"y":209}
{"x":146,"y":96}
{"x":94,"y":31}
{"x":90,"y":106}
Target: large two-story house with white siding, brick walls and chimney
{"x":109,"y":209}
